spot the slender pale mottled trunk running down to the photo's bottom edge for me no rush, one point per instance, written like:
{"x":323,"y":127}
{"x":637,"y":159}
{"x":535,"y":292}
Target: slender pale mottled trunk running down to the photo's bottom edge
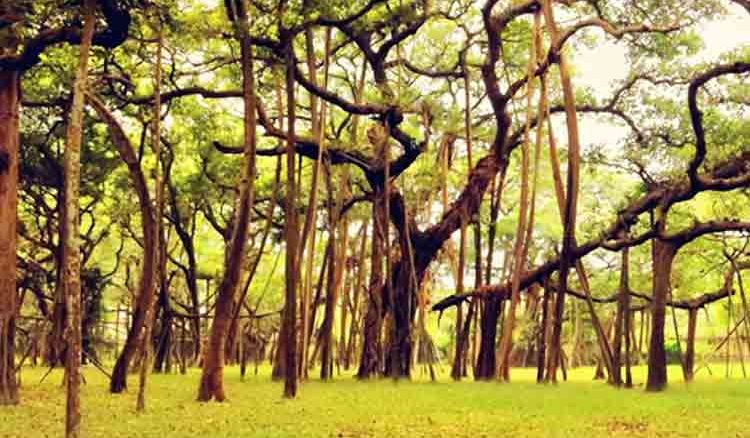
{"x":72,"y":251}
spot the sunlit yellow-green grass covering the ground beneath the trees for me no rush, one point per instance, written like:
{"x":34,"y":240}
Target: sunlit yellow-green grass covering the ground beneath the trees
{"x":710,"y":407}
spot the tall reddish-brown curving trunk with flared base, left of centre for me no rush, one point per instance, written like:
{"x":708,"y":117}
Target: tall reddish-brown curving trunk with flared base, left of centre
{"x":212,"y":379}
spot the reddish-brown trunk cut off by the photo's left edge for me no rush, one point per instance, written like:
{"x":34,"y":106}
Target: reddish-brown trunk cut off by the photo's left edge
{"x":9,"y":141}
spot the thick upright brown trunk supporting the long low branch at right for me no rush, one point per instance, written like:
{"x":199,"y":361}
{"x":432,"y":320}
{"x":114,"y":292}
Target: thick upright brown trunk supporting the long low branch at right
{"x":663,"y":256}
